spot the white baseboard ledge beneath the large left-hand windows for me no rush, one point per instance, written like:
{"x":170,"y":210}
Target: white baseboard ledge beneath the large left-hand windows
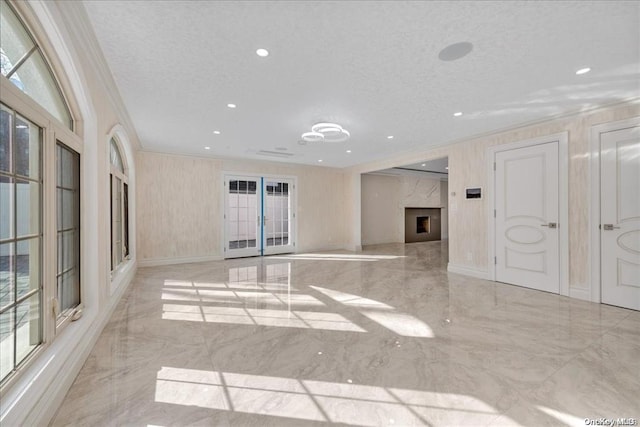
{"x":38,"y":395}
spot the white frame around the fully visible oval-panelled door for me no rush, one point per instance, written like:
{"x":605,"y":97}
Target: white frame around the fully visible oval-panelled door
{"x":563,"y":193}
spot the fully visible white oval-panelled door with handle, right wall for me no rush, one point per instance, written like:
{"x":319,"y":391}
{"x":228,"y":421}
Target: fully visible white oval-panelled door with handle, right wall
{"x":527,"y":241}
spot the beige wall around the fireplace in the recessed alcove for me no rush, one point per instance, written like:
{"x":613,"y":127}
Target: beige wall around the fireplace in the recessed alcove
{"x":384,"y":198}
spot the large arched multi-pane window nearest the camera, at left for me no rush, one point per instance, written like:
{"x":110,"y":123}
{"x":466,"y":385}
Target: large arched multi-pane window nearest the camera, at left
{"x":35,"y":281}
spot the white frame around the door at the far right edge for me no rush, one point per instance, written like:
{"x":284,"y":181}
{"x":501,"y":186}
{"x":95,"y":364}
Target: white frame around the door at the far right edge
{"x":595,"y":278}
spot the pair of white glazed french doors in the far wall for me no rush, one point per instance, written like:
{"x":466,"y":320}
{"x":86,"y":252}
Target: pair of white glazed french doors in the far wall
{"x":258,"y":216}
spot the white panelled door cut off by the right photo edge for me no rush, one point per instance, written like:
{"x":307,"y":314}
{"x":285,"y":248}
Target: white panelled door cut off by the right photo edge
{"x":620,"y":217}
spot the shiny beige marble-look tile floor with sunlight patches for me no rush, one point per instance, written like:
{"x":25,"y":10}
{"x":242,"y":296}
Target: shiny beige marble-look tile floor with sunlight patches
{"x":383,"y":337}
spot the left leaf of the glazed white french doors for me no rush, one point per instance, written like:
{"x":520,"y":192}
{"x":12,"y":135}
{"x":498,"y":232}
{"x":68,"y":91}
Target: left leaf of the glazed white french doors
{"x":242,"y":216}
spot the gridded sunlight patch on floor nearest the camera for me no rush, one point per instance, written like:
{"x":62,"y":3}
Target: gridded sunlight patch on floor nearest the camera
{"x":316,"y":400}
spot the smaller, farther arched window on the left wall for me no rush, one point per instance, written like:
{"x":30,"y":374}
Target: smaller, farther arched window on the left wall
{"x":119,"y":207}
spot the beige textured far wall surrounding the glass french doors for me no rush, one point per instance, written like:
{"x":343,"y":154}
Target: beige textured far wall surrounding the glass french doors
{"x":180,"y":205}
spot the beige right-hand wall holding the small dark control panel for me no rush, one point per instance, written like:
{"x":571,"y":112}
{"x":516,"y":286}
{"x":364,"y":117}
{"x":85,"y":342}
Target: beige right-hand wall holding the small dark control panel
{"x":468,"y":239}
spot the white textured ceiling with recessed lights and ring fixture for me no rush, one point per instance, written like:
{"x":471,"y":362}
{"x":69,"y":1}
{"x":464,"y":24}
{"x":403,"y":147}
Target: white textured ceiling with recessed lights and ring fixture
{"x":372,"y":67}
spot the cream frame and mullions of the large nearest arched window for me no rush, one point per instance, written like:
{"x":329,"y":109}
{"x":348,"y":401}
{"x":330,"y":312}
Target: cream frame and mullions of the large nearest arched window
{"x":53,"y":130}
